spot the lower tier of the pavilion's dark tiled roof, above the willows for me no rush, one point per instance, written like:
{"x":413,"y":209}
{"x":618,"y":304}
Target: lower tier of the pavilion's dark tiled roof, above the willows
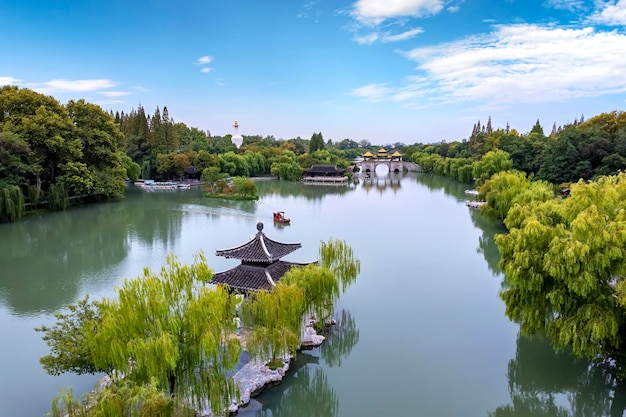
{"x":246,"y":277}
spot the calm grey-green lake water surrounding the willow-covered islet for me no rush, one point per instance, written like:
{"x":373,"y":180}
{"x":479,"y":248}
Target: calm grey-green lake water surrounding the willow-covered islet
{"x":423,"y":330}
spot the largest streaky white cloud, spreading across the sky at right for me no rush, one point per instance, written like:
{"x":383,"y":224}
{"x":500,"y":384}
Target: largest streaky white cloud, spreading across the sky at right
{"x":514,"y":64}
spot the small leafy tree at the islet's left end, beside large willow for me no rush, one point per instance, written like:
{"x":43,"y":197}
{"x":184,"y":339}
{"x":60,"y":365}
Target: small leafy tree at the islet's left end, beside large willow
{"x":67,"y":340}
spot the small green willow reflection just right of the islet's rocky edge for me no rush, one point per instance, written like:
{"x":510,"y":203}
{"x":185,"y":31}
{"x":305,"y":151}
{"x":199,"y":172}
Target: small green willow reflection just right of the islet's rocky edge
{"x":340,"y":340}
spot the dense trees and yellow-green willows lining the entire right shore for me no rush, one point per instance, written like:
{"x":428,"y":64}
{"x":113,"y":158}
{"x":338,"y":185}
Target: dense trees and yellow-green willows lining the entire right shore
{"x":562,"y":198}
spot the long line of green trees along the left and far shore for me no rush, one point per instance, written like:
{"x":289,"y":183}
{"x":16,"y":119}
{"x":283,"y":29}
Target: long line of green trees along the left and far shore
{"x":53,"y":154}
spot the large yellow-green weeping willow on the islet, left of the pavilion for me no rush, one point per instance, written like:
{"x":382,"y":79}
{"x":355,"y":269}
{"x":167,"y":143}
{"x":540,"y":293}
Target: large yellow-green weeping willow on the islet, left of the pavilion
{"x":171,"y":330}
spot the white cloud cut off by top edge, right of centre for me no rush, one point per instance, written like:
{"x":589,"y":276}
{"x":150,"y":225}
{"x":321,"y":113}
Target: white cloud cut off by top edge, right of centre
{"x":376,"y":11}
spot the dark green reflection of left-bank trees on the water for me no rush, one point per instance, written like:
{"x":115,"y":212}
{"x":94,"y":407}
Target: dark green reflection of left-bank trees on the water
{"x":44,"y":263}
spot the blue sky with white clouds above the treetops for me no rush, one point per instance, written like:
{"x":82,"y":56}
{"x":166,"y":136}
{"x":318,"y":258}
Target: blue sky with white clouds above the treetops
{"x":381,"y":70}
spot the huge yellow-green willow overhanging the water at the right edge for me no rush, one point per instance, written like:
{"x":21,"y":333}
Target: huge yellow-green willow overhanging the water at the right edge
{"x":565,"y":261}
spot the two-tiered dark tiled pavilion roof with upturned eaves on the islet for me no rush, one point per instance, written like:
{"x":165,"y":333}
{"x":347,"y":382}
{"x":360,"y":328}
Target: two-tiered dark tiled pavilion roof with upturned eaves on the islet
{"x":261,"y":267}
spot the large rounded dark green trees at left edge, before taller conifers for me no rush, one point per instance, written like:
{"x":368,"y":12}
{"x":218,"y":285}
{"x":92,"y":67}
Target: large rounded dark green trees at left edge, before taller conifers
{"x":61,"y":151}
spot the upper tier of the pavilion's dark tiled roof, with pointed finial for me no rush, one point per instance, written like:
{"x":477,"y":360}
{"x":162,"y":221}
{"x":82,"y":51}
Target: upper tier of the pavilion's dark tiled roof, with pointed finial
{"x":259,"y":249}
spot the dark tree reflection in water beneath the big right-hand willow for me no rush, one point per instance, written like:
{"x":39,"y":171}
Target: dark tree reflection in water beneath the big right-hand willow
{"x":547,"y":383}
